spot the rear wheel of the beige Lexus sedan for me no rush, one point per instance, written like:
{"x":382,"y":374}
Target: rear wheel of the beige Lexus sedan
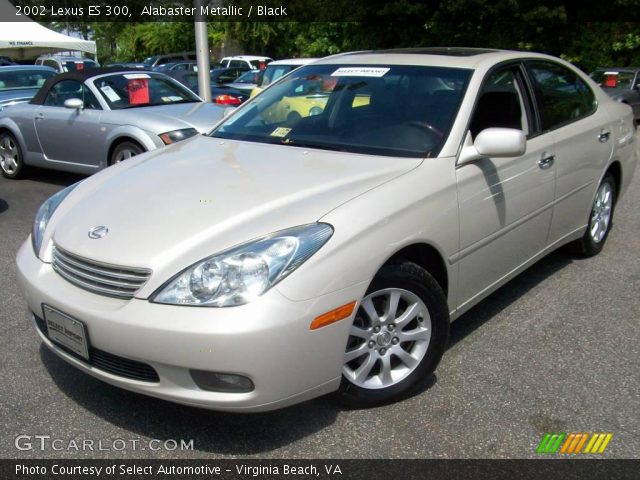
{"x":600,"y":219}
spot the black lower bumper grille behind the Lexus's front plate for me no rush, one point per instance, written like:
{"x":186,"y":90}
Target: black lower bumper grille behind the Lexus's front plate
{"x":108,"y":362}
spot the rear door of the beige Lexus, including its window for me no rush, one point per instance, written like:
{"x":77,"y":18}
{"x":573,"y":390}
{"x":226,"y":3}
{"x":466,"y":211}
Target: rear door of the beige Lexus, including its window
{"x":583,"y":136}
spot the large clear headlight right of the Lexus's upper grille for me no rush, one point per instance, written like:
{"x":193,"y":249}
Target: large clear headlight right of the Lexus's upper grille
{"x":237,"y":276}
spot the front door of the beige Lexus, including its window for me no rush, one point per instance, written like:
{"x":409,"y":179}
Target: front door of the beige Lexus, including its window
{"x":504,"y":203}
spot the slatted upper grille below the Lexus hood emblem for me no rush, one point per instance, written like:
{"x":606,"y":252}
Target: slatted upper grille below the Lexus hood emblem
{"x":100,"y":278}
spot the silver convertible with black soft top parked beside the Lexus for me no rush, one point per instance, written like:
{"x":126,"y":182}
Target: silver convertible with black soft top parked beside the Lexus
{"x":86,"y":120}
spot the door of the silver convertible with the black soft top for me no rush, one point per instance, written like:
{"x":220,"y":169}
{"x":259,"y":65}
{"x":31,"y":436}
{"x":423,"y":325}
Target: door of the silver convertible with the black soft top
{"x":70,"y":135}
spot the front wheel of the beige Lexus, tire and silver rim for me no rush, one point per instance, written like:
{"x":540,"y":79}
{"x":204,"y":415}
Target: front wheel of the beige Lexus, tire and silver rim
{"x":398,"y":336}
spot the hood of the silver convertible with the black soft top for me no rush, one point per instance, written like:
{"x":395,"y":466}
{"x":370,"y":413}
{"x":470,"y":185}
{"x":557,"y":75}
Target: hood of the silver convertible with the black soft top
{"x":162,"y":118}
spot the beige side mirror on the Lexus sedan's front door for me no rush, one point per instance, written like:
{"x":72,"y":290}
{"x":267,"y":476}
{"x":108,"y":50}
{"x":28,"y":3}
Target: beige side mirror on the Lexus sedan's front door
{"x":494,"y":142}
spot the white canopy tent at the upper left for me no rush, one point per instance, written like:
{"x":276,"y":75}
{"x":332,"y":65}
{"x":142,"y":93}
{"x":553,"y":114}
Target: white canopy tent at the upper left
{"x":27,"y":40}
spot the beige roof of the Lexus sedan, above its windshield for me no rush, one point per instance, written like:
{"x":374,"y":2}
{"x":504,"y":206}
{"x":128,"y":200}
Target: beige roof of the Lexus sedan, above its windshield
{"x":455,"y":57}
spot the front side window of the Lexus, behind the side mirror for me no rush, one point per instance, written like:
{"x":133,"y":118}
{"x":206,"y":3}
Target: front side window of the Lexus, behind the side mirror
{"x":500,"y":104}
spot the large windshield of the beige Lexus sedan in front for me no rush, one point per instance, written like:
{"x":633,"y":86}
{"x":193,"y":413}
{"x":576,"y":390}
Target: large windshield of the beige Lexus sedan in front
{"x":381,"y":110}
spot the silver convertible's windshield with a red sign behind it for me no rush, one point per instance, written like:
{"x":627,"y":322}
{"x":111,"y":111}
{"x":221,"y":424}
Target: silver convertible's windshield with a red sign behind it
{"x":129,"y":90}
